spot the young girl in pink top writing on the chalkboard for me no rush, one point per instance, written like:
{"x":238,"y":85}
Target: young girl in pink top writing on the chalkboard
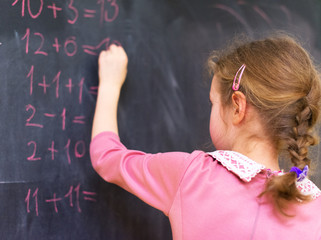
{"x":265,"y":98}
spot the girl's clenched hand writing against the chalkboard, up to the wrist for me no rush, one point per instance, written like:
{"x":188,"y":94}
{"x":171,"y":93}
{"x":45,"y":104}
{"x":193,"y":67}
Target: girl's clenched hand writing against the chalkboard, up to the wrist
{"x":113,"y":67}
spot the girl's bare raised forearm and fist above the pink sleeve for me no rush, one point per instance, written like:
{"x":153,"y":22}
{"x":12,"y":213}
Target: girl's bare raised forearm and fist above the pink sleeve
{"x":112,"y":74}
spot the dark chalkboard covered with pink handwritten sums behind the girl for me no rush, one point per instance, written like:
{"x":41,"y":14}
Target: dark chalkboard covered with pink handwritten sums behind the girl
{"x":48,"y":88}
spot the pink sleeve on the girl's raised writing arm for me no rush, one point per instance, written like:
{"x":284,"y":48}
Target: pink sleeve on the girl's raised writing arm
{"x":154,"y":178}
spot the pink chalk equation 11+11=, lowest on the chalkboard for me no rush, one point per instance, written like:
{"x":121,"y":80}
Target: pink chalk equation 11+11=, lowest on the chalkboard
{"x":73,"y":197}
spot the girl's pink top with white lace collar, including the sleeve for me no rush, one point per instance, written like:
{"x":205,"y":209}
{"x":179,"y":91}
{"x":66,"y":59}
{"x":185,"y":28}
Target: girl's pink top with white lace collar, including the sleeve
{"x":206,"y":195}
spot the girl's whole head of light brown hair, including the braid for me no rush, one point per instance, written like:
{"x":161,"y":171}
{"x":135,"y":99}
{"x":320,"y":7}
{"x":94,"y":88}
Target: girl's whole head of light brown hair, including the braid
{"x":282,"y":83}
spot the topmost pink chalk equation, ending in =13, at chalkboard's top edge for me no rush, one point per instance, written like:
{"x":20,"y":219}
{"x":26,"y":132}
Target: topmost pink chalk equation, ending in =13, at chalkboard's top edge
{"x":105,"y":11}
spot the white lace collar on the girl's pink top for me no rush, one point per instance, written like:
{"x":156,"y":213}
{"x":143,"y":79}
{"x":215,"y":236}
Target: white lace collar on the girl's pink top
{"x":246,"y":169}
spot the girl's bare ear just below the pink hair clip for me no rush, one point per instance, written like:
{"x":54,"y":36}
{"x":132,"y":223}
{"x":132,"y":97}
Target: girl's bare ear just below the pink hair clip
{"x":239,"y":107}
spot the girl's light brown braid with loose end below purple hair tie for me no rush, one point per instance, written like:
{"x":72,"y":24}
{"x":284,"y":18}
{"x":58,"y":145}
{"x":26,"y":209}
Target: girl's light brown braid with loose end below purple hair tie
{"x":297,"y":138}
